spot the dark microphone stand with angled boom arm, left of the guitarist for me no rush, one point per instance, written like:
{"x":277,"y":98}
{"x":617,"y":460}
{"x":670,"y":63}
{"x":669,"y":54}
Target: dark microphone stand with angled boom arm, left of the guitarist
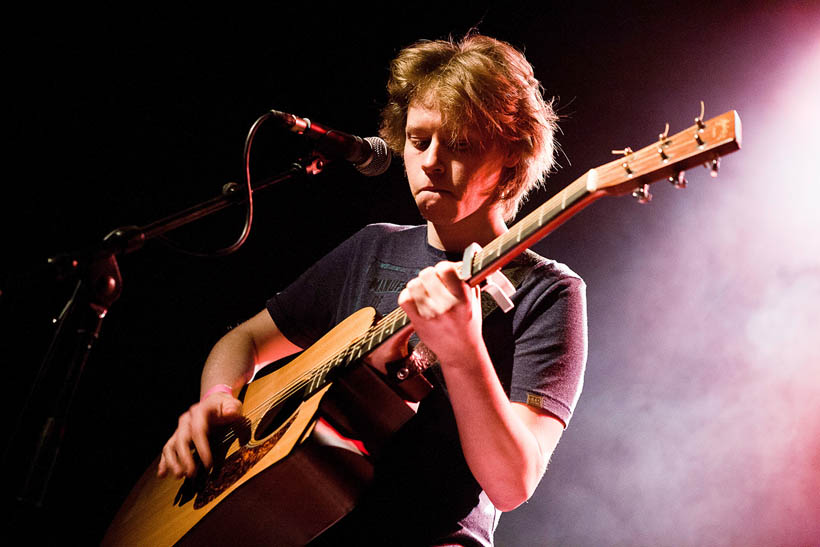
{"x":98,"y":286}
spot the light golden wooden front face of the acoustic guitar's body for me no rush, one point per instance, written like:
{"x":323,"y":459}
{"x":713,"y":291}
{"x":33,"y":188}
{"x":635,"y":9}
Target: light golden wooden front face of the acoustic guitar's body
{"x":159,"y":511}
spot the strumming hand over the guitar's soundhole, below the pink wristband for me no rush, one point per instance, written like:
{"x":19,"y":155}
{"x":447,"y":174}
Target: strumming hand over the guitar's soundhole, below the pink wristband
{"x":192,"y":431}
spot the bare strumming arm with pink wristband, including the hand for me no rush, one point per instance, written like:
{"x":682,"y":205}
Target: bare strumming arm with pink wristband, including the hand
{"x":231,"y":364}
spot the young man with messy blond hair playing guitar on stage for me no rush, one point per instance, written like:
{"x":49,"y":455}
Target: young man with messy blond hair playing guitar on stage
{"x":475,"y":135}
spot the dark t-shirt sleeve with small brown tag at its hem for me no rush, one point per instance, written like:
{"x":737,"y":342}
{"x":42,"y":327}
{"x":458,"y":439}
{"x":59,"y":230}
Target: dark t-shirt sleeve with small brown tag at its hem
{"x":551,"y":348}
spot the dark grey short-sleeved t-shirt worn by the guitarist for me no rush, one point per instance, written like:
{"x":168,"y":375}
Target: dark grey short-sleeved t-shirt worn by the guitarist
{"x":424,"y":491}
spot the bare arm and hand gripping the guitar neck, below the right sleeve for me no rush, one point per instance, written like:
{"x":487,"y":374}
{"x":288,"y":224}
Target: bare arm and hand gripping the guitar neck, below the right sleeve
{"x":507,"y":445}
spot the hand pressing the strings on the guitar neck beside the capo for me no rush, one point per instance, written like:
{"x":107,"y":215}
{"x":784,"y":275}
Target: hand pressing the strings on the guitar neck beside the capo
{"x":445,"y":312}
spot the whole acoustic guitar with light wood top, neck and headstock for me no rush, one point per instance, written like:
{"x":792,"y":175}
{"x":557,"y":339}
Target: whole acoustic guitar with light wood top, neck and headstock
{"x":270,"y":460}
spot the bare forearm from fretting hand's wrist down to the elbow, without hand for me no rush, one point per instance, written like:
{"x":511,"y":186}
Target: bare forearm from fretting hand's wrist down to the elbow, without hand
{"x":504,"y":455}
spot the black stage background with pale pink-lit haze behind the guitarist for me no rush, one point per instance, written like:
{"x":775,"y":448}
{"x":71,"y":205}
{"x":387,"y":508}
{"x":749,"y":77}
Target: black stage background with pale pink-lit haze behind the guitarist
{"x":699,"y":421}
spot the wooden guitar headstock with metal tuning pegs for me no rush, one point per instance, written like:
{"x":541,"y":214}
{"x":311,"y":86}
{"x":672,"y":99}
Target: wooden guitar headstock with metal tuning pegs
{"x":702,"y":143}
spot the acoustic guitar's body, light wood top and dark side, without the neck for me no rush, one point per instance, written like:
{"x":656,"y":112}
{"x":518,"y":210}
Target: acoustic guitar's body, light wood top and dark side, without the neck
{"x":161,"y":511}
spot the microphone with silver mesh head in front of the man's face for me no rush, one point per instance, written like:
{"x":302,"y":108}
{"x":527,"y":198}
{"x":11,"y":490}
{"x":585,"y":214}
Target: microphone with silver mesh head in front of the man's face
{"x":370,"y":156}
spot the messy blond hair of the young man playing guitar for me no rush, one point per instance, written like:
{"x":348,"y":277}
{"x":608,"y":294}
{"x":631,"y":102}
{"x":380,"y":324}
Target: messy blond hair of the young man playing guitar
{"x":488,"y":86}
